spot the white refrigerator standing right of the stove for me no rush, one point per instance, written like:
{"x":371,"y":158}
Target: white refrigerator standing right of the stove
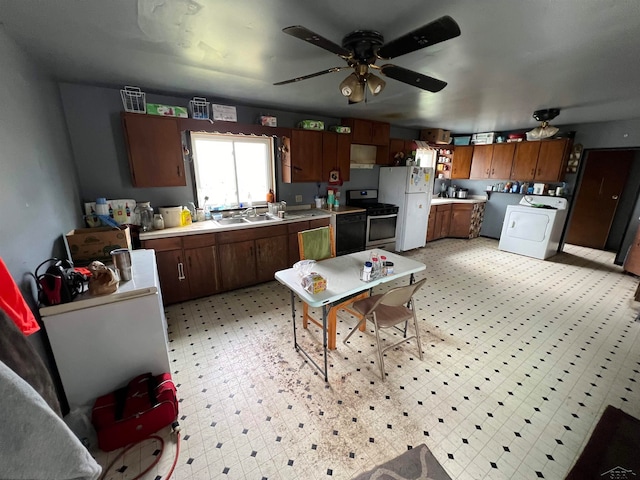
{"x":410,"y":188}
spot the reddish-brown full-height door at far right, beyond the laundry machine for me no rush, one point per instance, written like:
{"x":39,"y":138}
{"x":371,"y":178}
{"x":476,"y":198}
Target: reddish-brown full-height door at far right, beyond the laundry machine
{"x":604,"y":177}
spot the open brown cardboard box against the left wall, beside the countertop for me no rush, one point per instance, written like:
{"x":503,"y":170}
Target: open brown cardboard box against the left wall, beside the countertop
{"x":88,"y":244}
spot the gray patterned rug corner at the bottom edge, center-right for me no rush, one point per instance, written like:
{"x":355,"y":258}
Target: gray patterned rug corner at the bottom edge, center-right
{"x":415,"y":464}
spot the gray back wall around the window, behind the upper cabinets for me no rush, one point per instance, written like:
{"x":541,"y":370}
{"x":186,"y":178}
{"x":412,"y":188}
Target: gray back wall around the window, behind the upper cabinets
{"x":95,"y":129}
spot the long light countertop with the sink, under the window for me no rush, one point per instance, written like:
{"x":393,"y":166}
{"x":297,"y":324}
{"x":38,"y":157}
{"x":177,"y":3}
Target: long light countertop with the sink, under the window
{"x":211,"y":226}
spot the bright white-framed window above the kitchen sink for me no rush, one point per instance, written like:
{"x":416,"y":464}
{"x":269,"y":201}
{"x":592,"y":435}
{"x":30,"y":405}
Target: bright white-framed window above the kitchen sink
{"x":232,"y":169}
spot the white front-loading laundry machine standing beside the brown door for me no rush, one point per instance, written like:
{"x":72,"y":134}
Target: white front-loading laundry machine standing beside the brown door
{"x":534,"y":226}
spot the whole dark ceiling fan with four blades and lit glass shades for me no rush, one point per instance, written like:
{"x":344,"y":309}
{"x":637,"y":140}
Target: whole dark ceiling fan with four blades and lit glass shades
{"x":362,"y":48}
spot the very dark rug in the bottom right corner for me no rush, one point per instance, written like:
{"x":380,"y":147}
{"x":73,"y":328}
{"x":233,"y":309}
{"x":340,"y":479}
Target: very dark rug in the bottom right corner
{"x":612,"y":450}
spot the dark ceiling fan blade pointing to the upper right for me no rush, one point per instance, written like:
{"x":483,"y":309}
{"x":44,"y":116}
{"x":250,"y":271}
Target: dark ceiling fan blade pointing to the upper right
{"x":437,"y":31}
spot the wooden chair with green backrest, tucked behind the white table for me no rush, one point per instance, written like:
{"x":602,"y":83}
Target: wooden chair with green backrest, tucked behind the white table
{"x":319,"y":244}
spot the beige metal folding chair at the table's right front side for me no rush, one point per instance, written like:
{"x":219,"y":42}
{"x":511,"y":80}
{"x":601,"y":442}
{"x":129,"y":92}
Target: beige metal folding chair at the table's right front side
{"x":388,"y":310}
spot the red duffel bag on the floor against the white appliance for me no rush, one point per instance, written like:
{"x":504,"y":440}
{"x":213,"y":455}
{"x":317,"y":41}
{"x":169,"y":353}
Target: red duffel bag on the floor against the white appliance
{"x":132,"y":413}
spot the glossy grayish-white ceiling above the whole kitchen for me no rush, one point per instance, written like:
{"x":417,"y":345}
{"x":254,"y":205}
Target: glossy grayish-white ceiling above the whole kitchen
{"x":513,"y":56}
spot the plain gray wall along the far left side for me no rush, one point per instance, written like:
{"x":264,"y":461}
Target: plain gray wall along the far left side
{"x":38,"y":184}
